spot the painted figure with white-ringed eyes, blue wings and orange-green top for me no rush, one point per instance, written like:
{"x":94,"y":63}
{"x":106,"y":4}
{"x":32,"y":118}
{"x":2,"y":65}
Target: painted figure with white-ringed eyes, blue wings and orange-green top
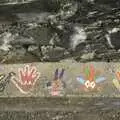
{"x":90,"y":80}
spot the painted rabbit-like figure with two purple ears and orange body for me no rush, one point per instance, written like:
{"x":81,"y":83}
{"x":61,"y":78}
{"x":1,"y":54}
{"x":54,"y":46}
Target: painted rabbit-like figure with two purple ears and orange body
{"x":57,"y":85}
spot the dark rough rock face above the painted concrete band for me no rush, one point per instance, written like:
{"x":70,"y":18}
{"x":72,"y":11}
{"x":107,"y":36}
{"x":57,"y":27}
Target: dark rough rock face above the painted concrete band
{"x":56,"y":30}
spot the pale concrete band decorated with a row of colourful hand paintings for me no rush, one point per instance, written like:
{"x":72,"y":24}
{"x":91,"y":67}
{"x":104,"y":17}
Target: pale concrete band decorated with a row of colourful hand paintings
{"x":60,"y":79}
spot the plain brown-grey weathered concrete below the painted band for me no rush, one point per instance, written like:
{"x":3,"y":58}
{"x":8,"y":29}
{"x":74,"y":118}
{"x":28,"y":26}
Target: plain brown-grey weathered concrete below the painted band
{"x":59,"y":109}
